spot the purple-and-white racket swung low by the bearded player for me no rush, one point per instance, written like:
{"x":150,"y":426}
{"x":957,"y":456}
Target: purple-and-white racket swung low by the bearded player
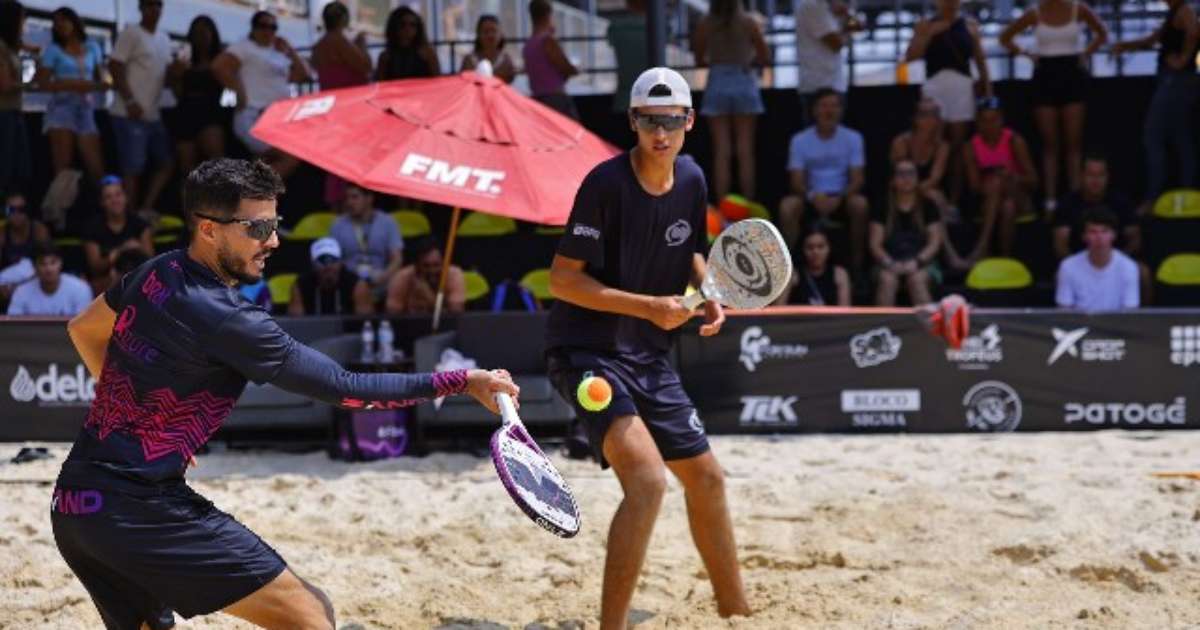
{"x":531,"y":479}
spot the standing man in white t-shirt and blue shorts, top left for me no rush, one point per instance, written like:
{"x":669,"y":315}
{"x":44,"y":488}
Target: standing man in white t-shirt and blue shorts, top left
{"x":139,"y":65}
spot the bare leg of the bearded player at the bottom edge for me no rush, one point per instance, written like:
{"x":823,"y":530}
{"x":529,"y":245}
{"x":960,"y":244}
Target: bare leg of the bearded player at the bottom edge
{"x":287,"y":603}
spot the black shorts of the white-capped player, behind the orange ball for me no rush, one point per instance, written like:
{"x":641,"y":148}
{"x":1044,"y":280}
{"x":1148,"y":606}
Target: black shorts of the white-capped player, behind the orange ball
{"x":644,"y":387}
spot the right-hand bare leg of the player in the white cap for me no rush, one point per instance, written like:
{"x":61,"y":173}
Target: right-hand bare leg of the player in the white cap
{"x":712,"y":530}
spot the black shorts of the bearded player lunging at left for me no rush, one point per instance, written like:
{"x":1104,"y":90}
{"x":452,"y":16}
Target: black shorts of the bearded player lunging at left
{"x":143,"y":554}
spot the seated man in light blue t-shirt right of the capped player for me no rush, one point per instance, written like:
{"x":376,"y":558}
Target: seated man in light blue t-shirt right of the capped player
{"x":826,"y":169}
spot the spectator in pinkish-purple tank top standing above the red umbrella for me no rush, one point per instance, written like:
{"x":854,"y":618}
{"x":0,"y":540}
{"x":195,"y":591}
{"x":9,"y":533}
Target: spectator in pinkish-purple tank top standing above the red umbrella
{"x":547,"y":63}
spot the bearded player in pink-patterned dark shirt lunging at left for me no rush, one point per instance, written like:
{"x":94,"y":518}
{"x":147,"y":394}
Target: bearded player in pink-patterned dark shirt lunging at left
{"x":172,"y":346}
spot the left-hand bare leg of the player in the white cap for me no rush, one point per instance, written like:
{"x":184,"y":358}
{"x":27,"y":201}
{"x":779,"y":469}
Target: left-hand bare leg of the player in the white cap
{"x":634,"y":457}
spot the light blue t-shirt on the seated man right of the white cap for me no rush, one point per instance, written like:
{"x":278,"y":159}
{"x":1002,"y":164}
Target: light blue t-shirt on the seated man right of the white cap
{"x":827,"y":161}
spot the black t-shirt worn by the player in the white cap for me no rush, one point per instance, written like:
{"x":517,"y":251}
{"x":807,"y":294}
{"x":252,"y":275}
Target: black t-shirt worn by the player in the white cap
{"x":632,"y":242}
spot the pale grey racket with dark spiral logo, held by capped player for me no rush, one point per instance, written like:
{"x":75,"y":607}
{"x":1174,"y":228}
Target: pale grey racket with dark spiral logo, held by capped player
{"x":749,"y":267}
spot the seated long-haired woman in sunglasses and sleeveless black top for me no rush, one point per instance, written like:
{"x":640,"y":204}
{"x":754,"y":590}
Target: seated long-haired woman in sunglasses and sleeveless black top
{"x":905,"y":239}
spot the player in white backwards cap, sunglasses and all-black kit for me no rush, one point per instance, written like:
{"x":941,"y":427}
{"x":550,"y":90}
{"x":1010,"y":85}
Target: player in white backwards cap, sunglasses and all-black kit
{"x":635,"y":238}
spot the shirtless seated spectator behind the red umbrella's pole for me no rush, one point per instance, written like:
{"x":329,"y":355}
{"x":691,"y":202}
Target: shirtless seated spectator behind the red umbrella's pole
{"x":415,"y":289}
